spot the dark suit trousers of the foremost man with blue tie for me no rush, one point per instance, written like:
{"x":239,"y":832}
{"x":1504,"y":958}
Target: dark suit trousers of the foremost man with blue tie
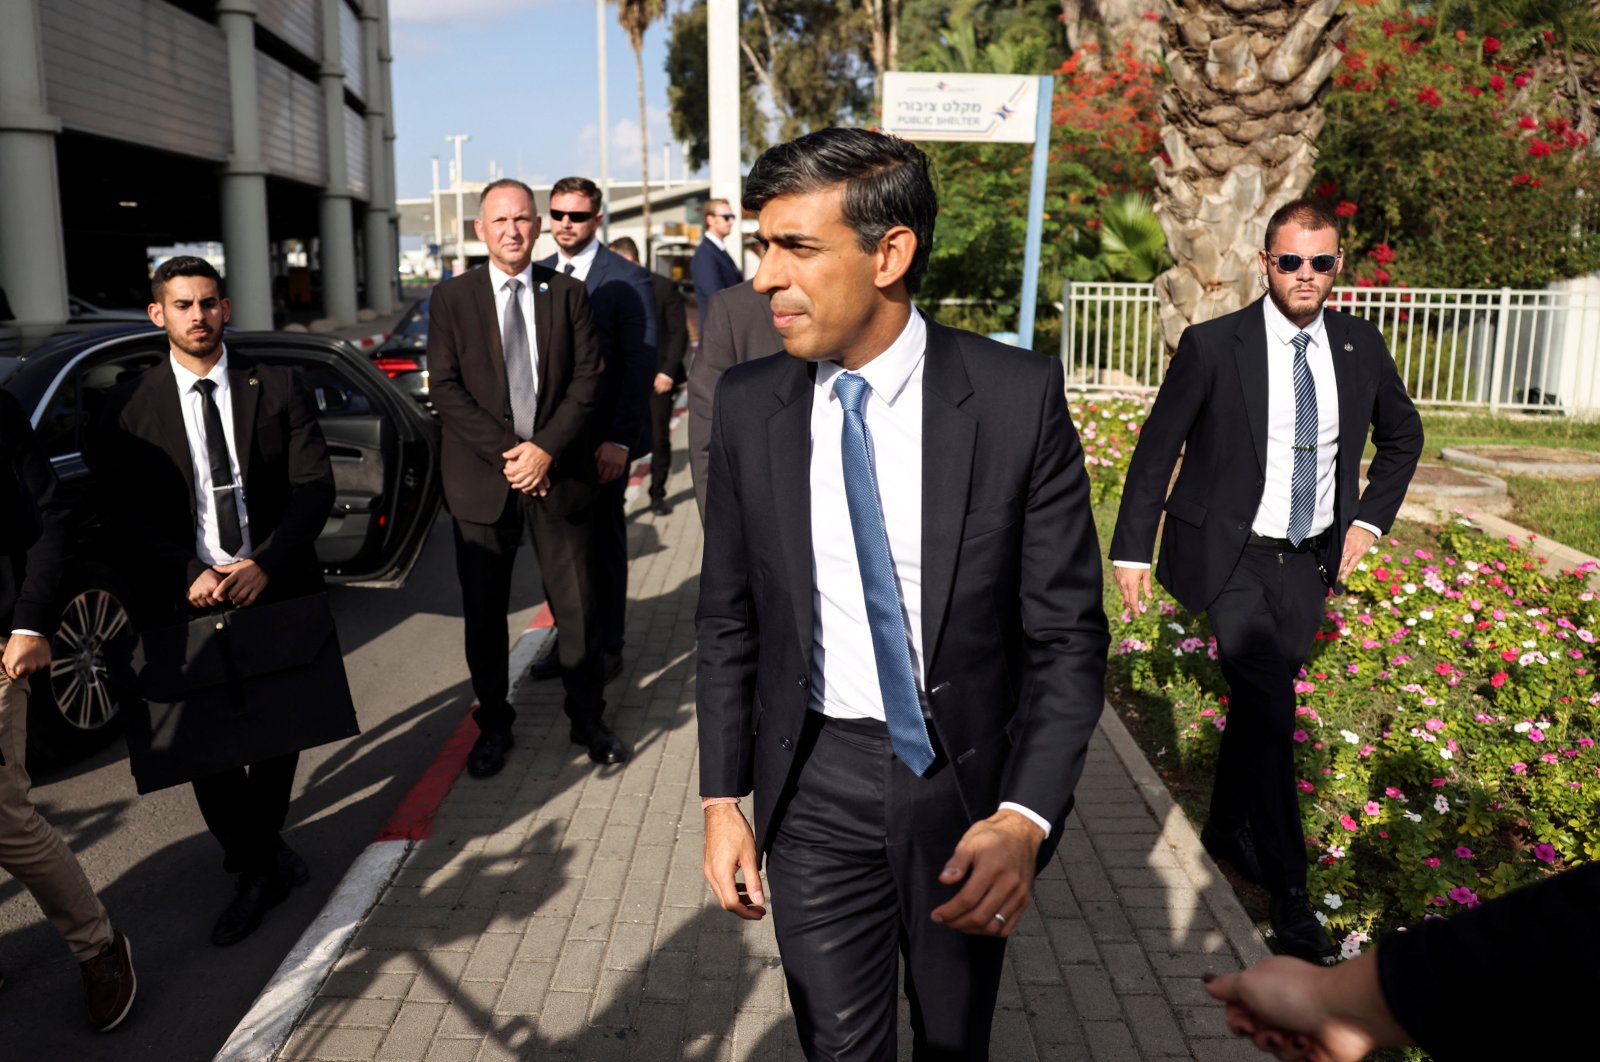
{"x":855,"y":874}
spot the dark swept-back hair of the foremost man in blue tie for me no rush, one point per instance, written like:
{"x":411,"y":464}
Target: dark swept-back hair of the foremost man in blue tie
{"x":886,"y":182}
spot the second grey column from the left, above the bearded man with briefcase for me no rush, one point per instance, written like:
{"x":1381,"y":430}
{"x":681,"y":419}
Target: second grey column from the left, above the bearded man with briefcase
{"x":246,"y":178}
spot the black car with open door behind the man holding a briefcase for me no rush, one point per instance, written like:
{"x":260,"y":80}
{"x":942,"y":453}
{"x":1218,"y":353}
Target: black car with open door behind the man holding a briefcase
{"x":385,"y":458}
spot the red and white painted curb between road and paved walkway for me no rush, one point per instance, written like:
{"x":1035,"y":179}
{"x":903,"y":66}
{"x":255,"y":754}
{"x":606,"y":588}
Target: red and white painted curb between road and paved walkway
{"x":263,"y":1032}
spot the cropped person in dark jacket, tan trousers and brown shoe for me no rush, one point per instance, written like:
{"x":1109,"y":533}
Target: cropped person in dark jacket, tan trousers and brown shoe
{"x":33,"y":535}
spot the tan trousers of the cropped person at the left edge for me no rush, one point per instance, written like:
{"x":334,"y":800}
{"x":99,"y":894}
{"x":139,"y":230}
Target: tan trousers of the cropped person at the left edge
{"x":31,"y":850}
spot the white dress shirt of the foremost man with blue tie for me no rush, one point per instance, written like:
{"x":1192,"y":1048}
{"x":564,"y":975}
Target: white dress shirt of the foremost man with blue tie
{"x":844,"y":665}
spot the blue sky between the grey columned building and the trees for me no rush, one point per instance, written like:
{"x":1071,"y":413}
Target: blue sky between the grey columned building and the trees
{"x":521,"y":78}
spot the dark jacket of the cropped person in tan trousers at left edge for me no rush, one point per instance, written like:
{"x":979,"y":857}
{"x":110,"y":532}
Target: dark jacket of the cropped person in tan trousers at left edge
{"x":33,"y":527}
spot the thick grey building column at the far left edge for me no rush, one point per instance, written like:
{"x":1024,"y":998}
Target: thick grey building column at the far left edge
{"x":33,"y":252}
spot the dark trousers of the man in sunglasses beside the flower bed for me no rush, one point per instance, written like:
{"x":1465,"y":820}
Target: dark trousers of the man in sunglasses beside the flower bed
{"x":1265,"y":620}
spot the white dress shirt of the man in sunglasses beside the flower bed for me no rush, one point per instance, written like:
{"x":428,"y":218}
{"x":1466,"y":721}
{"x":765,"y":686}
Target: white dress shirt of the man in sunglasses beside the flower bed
{"x":1273,"y":514}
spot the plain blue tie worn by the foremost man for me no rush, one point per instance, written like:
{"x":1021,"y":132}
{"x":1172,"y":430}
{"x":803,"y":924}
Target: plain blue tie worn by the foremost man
{"x":890,"y":644}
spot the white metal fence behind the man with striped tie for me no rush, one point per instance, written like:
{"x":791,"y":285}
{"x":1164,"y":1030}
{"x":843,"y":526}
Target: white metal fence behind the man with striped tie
{"x":1498,"y":349}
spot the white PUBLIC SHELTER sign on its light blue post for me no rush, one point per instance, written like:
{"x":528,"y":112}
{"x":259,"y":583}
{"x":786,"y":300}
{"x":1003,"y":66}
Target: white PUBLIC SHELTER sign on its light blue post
{"x":985,"y":110}
